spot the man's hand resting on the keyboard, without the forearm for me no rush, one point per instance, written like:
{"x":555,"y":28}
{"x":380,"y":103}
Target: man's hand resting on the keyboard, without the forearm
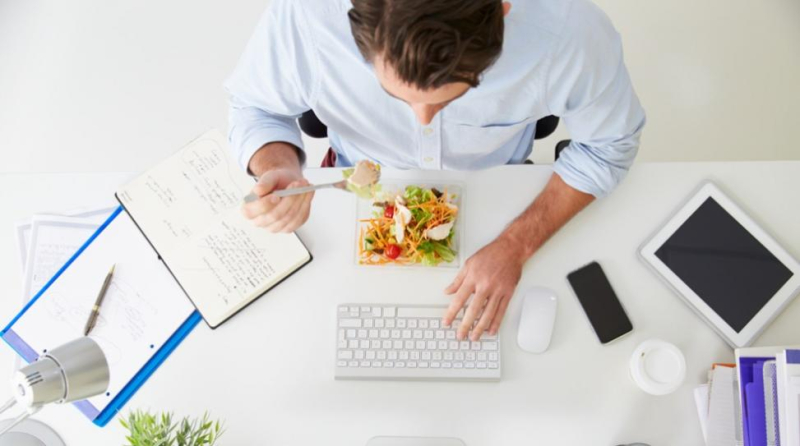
{"x":491,"y":276}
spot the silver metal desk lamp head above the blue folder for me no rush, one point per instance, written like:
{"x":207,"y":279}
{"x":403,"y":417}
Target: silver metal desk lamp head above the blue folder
{"x":74,"y":371}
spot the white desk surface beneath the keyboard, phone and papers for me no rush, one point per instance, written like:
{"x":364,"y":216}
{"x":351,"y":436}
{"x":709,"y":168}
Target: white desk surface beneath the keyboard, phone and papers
{"x":269,"y":371}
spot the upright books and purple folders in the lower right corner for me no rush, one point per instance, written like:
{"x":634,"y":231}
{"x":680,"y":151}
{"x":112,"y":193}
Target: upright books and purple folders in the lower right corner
{"x":754,"y":402}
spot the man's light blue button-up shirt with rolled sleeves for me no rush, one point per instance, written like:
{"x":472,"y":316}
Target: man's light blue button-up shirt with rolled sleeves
{"x":560,"y":57}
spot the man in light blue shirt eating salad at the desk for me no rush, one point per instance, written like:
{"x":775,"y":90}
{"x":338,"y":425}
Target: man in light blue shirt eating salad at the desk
{"x":439,"y":84}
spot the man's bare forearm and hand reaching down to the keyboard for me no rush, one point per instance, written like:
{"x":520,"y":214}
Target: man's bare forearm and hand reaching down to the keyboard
{"x":492,"y":274}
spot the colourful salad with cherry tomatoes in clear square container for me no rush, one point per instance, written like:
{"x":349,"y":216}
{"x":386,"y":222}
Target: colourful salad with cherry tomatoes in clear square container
{"x":415,"y":226}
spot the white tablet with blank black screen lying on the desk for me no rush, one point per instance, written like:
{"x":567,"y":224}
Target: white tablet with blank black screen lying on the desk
{"x":724,"y":265}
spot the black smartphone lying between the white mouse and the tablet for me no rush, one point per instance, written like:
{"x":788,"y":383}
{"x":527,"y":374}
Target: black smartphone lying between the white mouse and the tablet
{"x":600,"y":302}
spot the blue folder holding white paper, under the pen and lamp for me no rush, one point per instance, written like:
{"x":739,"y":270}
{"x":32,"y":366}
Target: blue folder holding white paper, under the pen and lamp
{"x":144,"y":317}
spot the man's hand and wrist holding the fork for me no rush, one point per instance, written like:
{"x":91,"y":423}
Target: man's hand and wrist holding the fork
{"x":278,"y":165}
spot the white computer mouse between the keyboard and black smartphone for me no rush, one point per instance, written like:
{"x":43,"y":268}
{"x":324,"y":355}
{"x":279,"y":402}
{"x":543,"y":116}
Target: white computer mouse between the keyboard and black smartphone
{"x":537,"y":319}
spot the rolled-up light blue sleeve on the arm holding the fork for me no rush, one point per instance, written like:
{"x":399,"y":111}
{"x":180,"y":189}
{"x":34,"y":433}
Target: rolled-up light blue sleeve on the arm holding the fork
{"x":273,"y":83}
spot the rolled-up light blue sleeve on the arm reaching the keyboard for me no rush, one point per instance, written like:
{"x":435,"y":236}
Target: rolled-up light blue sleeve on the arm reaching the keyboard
{"x":589,"y":87}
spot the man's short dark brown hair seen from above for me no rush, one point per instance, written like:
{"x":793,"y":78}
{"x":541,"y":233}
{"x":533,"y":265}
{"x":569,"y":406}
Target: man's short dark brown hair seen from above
{"x":430,"y":42}
